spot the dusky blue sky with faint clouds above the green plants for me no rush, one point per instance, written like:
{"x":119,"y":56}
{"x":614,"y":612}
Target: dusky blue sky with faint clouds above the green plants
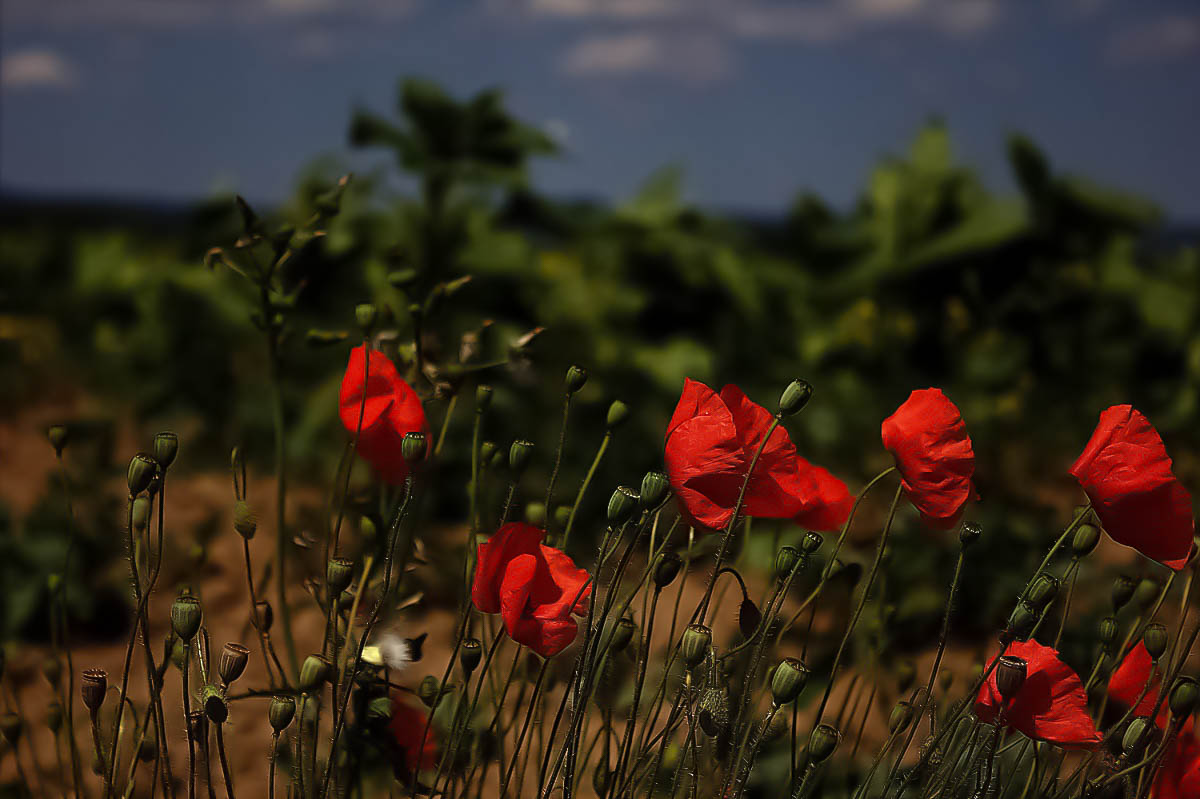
{"x":754,"y":99}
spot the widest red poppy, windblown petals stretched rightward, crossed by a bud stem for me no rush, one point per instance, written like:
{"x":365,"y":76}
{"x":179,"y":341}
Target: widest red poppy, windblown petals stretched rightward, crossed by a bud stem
{"x":711,"y":442}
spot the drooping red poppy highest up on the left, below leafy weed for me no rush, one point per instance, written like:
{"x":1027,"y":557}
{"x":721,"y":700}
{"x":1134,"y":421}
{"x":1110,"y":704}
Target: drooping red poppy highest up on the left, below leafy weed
{"x":392,"y":411}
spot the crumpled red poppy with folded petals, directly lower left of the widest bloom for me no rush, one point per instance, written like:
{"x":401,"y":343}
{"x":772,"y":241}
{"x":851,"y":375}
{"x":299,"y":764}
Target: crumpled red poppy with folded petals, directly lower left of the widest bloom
{"x":533,"y":587}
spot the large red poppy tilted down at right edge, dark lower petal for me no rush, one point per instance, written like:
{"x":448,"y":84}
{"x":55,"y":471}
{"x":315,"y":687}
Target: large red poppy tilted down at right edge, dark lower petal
{"x":1127,"y":474}
